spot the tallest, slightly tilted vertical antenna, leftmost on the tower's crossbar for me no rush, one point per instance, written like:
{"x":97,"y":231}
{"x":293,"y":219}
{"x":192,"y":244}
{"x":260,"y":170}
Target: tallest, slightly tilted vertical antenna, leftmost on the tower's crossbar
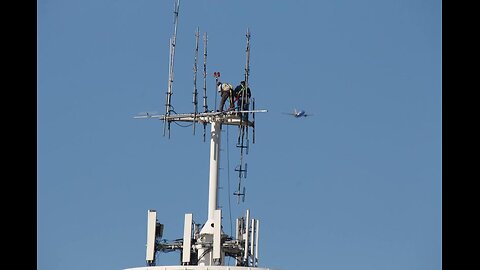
{"x":173,"y":41}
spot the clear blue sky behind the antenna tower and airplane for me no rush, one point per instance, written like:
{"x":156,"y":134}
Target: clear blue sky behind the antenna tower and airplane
{"x":356,"y":186}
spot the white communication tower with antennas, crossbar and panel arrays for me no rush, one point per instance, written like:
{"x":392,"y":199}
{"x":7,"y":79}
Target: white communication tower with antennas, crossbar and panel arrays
{"x":205,"y":247}
